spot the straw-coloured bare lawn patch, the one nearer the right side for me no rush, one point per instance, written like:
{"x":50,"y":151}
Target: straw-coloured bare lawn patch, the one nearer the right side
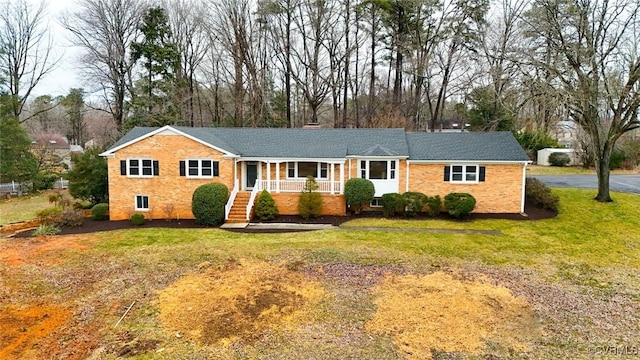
{"x":445,"y":313}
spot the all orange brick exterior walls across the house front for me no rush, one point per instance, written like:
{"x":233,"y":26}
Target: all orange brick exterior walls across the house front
{"x":170,"y":194}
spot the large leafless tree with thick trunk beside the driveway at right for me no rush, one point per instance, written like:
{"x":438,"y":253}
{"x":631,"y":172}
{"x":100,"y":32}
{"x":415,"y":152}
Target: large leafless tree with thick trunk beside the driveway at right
{"x":600,"y":74}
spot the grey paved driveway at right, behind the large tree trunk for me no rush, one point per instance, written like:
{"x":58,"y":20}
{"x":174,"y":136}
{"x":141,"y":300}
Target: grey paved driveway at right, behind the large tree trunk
{"x":622,"y":183}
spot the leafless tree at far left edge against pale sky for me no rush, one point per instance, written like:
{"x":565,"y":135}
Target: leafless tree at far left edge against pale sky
{"x":25,"y":49}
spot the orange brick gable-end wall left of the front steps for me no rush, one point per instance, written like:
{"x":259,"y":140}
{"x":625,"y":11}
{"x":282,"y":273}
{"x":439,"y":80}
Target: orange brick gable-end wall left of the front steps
{"x":167,"y":190}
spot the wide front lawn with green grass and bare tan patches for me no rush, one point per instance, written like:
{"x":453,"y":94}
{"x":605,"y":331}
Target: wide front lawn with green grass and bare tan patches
{"x":577,"y":273}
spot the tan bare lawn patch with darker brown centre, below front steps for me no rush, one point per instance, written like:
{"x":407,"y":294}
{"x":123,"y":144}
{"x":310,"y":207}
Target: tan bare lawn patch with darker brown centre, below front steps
{"x":236,"y":302}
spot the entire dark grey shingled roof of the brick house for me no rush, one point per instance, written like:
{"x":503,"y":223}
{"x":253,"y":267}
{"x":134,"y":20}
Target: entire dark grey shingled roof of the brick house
{"x":340,"y":143}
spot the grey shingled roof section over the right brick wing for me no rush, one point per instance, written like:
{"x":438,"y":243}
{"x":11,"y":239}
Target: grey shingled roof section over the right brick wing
{"x":477,"y":146}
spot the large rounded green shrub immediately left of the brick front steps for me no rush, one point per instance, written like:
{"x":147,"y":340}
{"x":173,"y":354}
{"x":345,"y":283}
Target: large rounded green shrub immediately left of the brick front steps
{"x":207,"y":203}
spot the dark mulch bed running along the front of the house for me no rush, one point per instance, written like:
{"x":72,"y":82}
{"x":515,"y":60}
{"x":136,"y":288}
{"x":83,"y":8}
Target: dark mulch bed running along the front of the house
{"x":90,"y":225}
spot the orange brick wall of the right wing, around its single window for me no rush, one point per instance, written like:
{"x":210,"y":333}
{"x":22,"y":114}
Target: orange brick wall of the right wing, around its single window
{"x":501,"y":192}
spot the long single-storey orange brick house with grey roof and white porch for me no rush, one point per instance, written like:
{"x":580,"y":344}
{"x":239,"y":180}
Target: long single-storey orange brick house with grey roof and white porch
{"x":156,"y":170}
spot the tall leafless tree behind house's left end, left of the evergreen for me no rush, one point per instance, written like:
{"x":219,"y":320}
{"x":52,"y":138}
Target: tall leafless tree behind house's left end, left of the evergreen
{"x":105,"y":30}
